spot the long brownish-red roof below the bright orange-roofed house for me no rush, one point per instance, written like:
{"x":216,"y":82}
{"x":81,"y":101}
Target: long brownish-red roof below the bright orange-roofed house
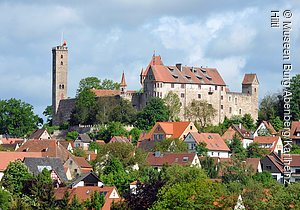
{"x":170,"y":159}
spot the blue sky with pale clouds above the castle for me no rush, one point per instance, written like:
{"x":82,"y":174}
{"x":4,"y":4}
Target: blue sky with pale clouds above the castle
{"x":108,"y":37}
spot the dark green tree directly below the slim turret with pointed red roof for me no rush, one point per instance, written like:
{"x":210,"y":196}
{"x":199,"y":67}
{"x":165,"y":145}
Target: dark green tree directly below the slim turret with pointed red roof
{"x":123,"y":112}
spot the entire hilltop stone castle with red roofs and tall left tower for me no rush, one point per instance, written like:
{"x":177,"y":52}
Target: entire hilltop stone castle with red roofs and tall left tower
{"x":157,"y":80}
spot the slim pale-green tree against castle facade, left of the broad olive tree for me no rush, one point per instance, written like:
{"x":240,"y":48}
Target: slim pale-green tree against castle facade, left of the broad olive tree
{"x":172,"y":102}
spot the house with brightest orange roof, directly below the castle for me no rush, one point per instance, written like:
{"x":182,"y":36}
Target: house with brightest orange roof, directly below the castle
{"x":164,"y":130}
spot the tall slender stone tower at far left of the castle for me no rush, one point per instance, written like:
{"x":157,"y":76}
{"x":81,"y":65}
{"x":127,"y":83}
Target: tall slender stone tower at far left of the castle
{"x":59,"y":75}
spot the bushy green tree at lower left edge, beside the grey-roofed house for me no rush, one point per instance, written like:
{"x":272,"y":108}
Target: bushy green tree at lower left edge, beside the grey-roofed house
{"x":15,"y":175}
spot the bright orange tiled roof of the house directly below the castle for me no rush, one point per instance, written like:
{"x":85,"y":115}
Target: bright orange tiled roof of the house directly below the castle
{"x":175,"y":129}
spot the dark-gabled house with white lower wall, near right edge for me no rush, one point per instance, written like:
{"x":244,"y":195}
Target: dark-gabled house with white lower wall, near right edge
{"x":273,"y":164}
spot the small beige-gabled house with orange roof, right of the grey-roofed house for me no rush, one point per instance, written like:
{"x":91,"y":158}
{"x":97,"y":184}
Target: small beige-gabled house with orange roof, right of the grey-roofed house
{"x":77,"y":165}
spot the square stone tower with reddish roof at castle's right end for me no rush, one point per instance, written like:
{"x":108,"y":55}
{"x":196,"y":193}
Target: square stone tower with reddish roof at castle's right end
{"x":250,"y":86}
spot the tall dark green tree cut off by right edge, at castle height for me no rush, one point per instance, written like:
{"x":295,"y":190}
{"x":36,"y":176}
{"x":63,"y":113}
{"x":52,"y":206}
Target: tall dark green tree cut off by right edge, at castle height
{"x":295,"y":100}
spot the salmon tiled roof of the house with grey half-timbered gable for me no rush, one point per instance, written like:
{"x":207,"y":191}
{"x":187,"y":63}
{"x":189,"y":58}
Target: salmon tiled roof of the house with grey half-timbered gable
{"x":213,"y":141}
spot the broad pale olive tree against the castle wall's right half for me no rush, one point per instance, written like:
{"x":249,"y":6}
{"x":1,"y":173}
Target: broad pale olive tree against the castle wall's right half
{"x":200,"y":111}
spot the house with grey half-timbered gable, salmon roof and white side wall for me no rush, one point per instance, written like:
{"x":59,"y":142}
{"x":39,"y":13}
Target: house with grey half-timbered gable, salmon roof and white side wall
{"x":214,"y":143}
